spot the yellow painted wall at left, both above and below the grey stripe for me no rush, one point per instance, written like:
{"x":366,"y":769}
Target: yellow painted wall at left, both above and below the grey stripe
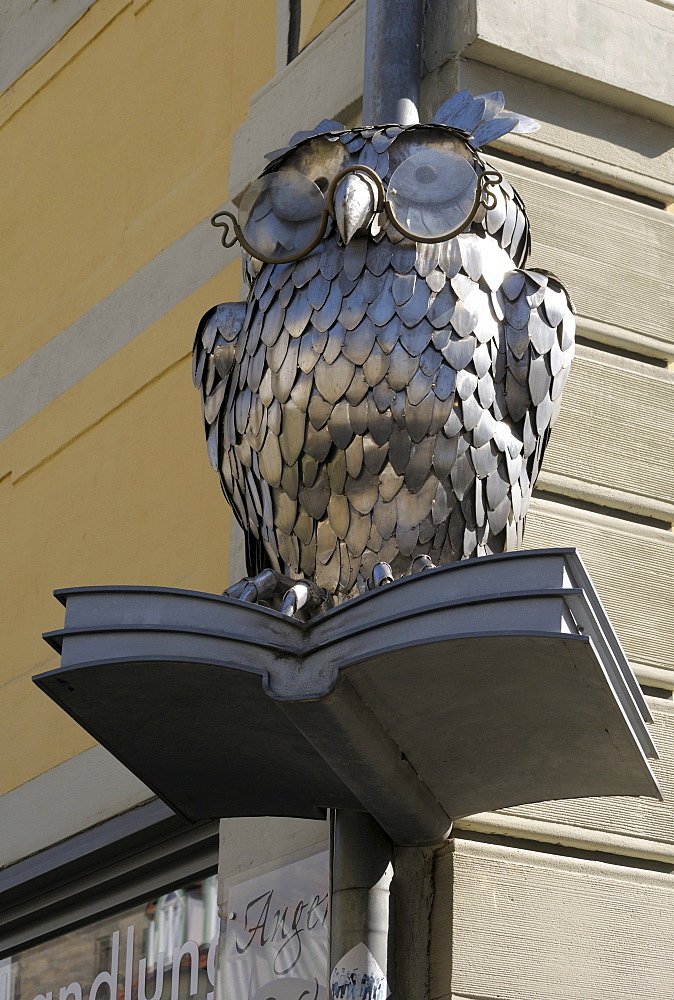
{"x":112,"y":146}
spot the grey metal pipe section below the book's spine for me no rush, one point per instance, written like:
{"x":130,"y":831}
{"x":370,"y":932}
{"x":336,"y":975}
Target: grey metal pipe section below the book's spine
{"x":362,"y":872}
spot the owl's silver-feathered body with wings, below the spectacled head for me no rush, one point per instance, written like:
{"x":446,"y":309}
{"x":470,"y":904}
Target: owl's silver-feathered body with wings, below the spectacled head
{"x":378,"y":401}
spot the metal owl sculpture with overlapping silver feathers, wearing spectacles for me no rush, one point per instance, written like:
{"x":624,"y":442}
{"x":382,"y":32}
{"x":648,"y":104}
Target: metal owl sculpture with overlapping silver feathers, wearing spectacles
{"x":382,"y":401}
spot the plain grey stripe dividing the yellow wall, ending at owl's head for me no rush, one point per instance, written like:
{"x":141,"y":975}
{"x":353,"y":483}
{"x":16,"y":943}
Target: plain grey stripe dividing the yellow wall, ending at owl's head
{"x":111,"y":324}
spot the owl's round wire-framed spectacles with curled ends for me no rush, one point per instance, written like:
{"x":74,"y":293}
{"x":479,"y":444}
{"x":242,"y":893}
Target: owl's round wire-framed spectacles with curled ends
{"x":432,"y":196}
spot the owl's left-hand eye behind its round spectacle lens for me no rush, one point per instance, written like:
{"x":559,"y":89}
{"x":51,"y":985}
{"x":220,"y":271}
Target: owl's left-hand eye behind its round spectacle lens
{"x":281,"y":215}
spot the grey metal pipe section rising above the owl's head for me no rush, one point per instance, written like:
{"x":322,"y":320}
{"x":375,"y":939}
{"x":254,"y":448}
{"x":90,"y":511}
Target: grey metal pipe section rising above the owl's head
{"x":391,"y":86}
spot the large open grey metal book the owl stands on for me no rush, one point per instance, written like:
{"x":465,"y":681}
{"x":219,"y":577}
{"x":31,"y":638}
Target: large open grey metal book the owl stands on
{"x":364,"y":705}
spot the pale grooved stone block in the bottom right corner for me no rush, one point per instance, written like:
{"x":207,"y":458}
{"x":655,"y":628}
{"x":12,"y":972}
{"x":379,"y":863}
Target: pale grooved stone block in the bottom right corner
{"x":511,"y":923}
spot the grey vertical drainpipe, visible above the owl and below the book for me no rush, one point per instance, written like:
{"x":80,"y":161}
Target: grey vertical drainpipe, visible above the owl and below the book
{"x":362,"y":854}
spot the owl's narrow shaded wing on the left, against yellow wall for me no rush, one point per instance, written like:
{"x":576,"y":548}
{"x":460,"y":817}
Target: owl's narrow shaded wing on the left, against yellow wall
{"x":214,"y":371}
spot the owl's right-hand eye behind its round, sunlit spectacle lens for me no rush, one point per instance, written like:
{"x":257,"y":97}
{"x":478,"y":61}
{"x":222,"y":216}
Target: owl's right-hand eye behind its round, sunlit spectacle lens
{"x":433,"y":194}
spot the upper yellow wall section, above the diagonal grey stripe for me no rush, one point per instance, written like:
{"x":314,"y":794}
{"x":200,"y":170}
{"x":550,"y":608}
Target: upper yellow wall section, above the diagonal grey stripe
{"x":114,"y":144}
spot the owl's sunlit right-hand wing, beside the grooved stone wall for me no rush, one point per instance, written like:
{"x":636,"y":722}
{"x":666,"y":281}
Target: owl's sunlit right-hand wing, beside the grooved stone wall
{"x":539,"y":328}
